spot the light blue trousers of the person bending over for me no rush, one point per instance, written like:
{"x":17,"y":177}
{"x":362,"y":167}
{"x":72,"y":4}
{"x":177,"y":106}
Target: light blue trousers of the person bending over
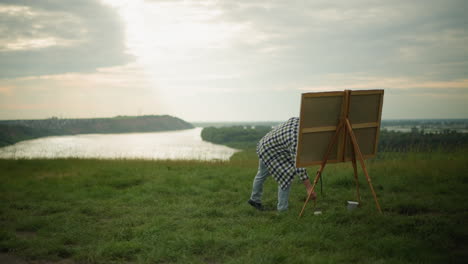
{"x":257,"y":188}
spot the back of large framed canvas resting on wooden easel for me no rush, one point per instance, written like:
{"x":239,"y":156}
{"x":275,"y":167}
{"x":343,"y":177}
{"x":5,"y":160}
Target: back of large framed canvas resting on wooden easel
{"x":320,"y":116}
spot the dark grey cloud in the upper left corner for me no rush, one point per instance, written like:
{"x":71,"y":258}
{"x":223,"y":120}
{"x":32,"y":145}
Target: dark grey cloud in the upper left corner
{"x":54,"y":37}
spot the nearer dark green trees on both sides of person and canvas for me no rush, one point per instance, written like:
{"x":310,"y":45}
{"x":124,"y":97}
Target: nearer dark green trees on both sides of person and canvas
{"x":247,"y":137}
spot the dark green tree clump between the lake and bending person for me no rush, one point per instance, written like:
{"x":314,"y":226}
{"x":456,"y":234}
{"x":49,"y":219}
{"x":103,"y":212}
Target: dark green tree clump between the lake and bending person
{"x":240,"y":137}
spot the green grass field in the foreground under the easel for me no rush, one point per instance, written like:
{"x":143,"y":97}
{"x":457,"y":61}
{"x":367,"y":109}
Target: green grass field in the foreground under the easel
{"x":133,"y":211}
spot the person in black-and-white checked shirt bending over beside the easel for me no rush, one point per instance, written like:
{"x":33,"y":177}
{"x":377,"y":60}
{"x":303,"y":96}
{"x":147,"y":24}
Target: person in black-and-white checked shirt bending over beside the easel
{"x":276,"y":156}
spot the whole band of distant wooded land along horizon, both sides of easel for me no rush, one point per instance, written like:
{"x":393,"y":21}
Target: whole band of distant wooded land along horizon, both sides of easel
{"x":396,"y":135}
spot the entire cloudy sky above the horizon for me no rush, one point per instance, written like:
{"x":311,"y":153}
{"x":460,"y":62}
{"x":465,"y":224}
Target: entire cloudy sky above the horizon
{"x":226,"y":60}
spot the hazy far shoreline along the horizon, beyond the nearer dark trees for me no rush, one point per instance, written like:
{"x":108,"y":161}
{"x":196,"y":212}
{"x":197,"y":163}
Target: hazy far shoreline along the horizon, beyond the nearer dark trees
{"x":13,"y":131}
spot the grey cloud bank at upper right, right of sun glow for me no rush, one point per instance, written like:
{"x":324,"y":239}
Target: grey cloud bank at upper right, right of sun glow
{"x":403,"y":38}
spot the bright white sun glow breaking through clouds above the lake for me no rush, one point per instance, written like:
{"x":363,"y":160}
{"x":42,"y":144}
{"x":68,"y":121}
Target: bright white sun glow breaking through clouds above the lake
{"x":178,"y":44}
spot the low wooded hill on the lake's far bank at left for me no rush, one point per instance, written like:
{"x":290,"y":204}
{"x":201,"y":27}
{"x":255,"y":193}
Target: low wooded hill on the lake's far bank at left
{"x":12,"y":131}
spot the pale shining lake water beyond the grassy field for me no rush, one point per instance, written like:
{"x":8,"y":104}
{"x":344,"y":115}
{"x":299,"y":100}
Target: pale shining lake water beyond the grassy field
{"x":183,"y":144}
